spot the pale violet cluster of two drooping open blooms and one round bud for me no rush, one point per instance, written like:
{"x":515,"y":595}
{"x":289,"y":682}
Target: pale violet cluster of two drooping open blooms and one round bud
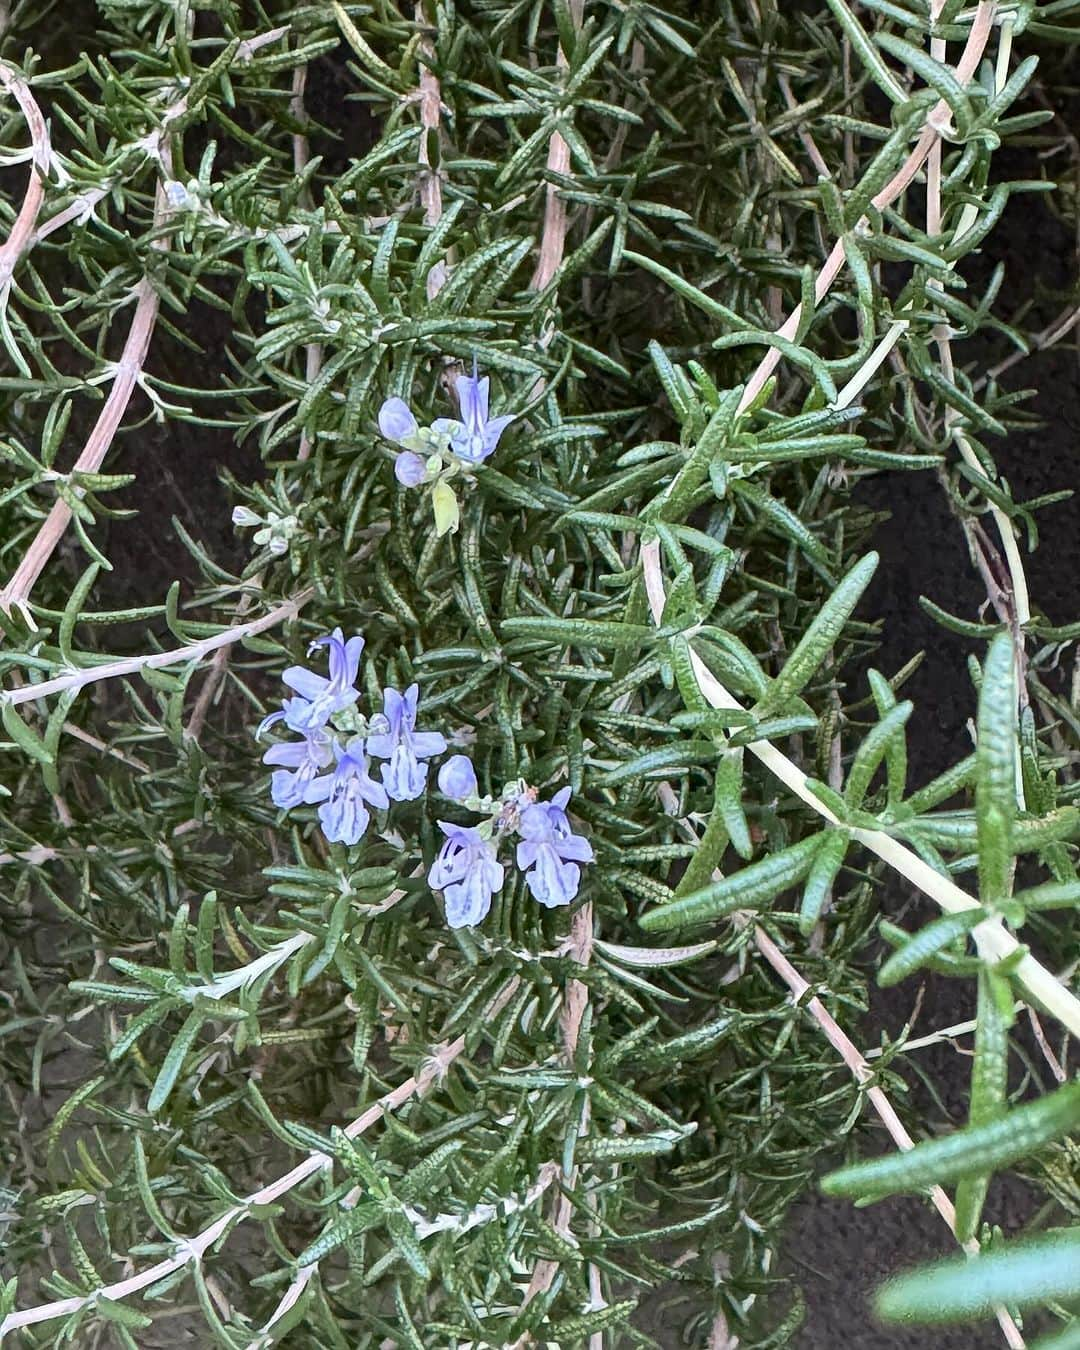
{"x":468,"y":870}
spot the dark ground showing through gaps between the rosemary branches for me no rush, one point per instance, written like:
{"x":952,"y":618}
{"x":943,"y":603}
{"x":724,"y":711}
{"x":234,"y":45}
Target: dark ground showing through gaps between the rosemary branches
{"x":838,"y":1253}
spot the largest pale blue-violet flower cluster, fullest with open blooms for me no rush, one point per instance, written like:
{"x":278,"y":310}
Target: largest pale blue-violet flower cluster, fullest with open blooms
{"x":335,"y":739}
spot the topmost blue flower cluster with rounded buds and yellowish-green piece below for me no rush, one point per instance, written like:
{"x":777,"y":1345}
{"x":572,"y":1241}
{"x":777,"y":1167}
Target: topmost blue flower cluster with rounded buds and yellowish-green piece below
{"x":439,"y":453}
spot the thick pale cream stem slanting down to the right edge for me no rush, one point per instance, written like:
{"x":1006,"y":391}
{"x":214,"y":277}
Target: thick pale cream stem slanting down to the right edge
{"x":994,"y":943}
